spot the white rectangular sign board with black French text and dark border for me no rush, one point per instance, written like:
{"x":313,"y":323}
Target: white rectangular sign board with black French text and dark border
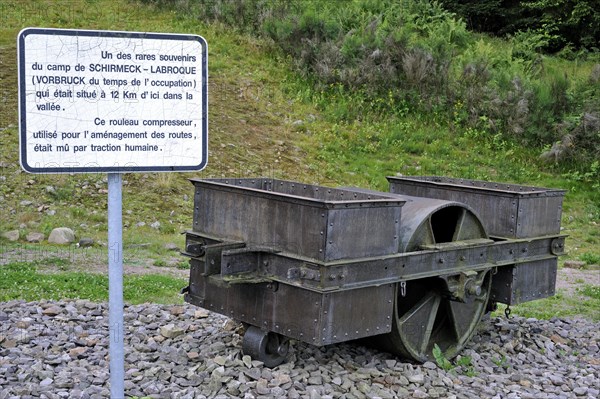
{"x":104,"y":101}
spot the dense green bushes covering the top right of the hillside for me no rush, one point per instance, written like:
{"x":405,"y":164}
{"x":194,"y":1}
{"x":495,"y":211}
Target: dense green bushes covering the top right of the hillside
{"x":370,"y":58}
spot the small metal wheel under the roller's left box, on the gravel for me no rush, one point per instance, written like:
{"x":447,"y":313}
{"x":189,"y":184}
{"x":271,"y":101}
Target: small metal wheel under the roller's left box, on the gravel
{"x":268,"y":347}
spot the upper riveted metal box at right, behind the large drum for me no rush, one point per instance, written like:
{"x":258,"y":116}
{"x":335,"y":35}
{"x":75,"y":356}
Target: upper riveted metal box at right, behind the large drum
{"x":507,"y":210}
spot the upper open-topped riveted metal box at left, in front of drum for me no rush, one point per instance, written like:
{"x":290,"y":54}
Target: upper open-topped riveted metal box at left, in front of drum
{"x":322,"y":223}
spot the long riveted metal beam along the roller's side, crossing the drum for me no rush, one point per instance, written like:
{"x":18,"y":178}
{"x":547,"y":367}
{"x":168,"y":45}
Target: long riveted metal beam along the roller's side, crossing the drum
{"x":449,"y":258}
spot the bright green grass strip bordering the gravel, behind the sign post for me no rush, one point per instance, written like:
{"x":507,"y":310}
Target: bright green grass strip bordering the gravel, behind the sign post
{"x":24,"y":281}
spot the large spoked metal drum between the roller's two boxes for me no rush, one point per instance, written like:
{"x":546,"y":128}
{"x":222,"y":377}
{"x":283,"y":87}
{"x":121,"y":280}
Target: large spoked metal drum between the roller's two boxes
{"x":426,"y":311}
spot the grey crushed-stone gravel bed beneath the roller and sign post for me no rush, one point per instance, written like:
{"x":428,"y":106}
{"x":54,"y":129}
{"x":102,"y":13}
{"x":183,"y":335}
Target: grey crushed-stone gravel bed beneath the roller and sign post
{"x":59,"y":350}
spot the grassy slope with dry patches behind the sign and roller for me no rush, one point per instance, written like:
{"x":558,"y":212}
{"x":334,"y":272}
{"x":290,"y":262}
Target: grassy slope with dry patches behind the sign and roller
{"x":254,"y":103}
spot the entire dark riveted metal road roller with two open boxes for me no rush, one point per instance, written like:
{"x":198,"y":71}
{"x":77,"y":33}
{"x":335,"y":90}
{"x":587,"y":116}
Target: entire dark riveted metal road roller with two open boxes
{"x":407,"y":269}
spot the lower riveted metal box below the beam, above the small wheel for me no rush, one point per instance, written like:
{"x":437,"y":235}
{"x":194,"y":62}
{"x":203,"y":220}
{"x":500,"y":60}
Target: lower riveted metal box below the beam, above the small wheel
{"x":306,"y":315}
